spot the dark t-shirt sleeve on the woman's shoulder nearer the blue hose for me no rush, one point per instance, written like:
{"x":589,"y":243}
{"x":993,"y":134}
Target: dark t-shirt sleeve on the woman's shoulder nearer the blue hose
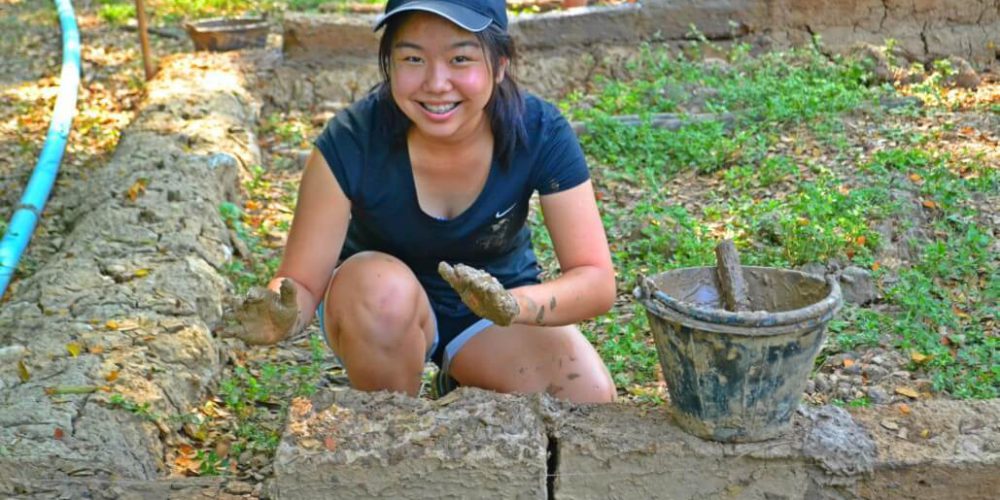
{"x":340,"y":143}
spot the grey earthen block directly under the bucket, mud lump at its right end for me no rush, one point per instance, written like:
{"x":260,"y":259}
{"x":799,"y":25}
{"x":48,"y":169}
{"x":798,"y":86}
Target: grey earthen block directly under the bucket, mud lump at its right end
{"x":619,"y":451}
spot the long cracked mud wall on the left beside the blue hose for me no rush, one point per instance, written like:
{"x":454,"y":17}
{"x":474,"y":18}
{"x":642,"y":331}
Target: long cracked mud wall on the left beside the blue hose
{"x":135,"y":288}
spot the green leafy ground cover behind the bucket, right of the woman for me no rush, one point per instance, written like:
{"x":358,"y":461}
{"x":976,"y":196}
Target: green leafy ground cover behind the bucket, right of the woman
{"x":786,"y":210}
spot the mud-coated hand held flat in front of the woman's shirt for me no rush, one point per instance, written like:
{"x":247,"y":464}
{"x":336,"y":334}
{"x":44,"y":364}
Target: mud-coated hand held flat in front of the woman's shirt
{"x":484,"y":295}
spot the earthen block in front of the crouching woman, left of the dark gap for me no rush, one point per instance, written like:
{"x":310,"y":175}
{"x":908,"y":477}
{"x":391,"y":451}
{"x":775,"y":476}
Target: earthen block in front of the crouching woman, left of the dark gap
{"x":469,"y":444}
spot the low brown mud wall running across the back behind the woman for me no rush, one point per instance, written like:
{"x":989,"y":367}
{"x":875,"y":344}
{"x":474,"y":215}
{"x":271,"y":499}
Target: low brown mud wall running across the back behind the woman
{"x":331,"y":58}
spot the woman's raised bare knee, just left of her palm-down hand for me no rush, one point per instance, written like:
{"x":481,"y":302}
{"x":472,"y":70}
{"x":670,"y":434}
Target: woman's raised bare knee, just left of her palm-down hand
{"x":376,"y":295}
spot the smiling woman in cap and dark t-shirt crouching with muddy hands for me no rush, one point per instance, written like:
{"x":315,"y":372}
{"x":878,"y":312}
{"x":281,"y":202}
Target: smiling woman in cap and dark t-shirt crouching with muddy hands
{"x":436,"y":167}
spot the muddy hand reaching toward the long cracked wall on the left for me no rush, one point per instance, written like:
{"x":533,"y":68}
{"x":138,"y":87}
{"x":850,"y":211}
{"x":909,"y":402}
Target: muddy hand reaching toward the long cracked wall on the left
{"x":263,"y":317}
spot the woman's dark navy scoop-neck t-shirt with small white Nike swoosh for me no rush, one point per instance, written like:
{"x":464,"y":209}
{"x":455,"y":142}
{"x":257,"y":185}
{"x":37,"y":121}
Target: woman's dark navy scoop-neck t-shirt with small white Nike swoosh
{"x":373,"y":168}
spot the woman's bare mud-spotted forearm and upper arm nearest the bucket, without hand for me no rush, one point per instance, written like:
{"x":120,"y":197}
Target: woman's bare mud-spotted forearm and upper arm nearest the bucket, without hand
{"x":586,"y":287}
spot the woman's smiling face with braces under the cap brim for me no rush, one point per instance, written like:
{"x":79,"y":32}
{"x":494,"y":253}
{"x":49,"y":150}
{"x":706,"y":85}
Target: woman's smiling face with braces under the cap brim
{"x":440,"y":77}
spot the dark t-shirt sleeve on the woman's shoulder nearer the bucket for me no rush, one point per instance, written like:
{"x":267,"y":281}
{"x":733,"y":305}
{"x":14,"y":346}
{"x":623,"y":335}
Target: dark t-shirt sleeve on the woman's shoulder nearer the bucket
{"x":561,"y":164}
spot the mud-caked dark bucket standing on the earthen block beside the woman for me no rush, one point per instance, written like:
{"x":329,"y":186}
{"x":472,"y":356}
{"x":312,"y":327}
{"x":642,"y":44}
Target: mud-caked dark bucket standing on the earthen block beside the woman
{"x":737,"y":376}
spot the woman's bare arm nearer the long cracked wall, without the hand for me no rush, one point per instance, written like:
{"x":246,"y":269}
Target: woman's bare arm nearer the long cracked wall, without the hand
{"x":316,"y":237}
